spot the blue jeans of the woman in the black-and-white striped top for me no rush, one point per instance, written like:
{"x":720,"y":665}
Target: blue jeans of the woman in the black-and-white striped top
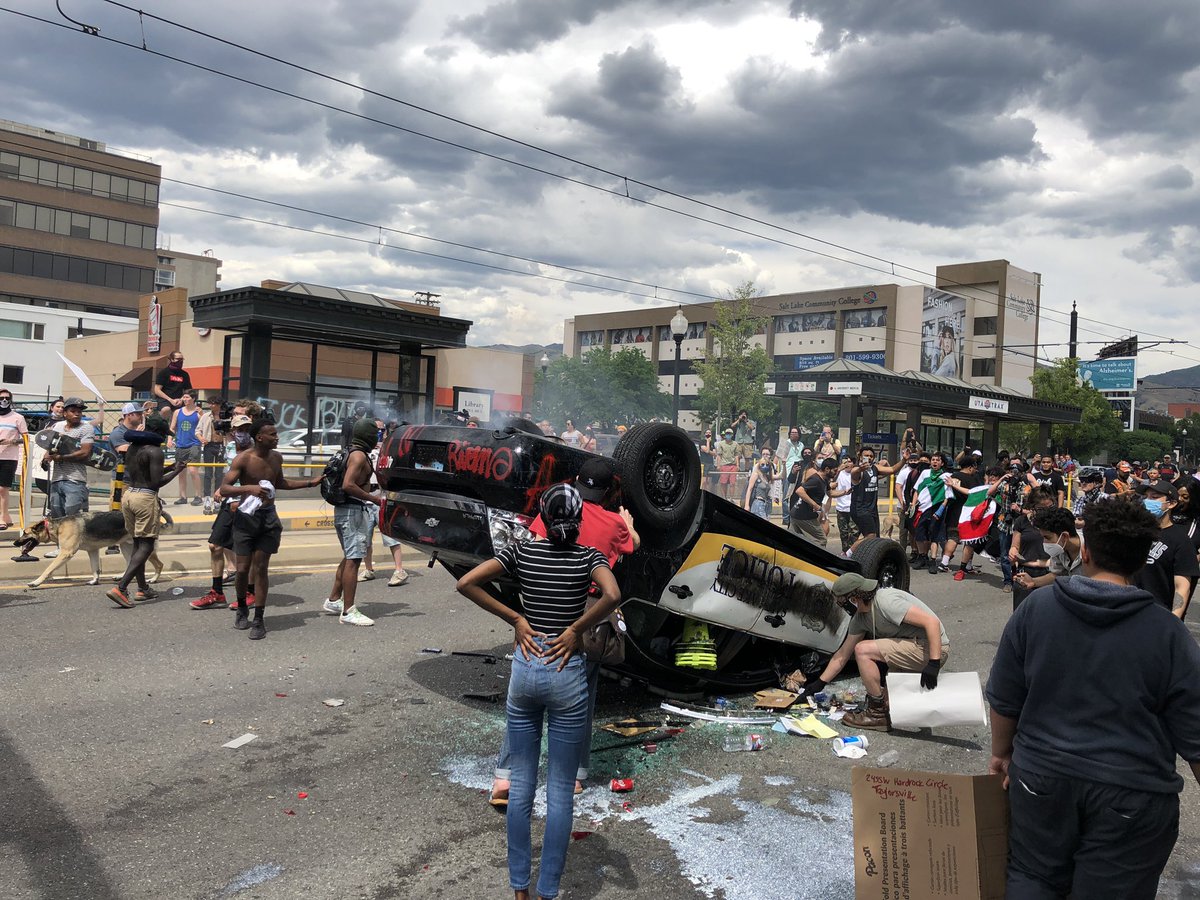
{"x":537,"y":692}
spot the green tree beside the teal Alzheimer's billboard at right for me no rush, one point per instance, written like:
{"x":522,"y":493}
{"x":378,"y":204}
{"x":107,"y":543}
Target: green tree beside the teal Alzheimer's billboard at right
{"x":1097,"y":431}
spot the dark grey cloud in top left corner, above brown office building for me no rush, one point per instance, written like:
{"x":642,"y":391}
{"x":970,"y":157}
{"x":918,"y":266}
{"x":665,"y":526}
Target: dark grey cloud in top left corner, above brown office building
{"x":112,"y":89}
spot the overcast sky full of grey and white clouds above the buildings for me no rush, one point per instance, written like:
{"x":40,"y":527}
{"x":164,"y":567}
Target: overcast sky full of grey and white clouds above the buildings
{"x":1060,"y":136}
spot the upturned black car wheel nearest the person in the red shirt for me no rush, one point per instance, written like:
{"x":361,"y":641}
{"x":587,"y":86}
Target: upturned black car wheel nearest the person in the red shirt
{"x":661,"y":483}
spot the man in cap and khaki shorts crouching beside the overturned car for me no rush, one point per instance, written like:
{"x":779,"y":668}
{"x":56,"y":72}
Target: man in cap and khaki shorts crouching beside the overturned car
{"x":890,"y":629}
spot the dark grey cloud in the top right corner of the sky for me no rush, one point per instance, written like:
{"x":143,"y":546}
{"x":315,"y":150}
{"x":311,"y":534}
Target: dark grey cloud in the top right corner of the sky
{"x":1118,"y":68}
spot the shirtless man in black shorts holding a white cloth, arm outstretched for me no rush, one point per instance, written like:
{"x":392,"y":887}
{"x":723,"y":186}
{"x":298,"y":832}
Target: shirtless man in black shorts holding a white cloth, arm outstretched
{"x":257,"y":473}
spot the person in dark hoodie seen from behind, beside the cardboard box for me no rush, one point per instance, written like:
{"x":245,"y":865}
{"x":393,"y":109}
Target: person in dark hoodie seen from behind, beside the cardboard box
{"x":1094,"y":693}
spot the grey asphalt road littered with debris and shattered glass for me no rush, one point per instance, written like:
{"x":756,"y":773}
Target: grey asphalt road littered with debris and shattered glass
{"x":115,"y":783}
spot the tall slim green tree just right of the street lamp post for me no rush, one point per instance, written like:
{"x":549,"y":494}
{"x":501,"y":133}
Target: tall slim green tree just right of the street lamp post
{"x":735,"y":380}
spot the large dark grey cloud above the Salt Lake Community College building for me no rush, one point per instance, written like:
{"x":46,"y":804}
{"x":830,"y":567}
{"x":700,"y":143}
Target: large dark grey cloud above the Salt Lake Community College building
{"x":908,"y":129}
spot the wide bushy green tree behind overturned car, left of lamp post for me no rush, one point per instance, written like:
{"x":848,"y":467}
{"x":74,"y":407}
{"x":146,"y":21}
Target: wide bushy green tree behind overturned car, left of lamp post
{"x":603,"y":387}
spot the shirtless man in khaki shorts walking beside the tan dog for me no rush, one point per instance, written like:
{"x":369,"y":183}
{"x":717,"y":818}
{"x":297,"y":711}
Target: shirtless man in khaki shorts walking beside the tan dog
{"x":145,"y":476}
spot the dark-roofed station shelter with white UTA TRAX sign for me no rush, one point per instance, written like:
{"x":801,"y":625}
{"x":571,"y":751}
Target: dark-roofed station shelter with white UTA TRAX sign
{"x":863,"y":391}
